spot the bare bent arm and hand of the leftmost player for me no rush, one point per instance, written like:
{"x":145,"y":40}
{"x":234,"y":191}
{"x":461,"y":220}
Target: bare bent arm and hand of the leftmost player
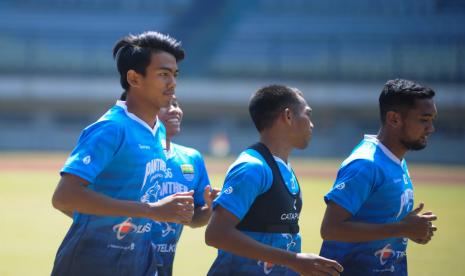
{"x":72,"y":195}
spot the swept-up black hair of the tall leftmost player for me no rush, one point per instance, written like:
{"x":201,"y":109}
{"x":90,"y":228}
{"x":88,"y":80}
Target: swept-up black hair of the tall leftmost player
{"x":134,"y":52}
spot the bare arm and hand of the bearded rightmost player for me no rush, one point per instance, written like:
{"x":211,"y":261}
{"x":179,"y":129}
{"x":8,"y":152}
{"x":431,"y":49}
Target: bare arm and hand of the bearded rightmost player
{"x":337,"y":225}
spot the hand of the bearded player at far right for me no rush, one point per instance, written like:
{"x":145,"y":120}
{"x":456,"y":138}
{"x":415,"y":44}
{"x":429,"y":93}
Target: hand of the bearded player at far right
{"x":419,"y":227}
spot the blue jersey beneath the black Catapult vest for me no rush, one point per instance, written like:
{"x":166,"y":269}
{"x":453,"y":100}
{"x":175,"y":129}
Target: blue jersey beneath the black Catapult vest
{"x":247,"y":178}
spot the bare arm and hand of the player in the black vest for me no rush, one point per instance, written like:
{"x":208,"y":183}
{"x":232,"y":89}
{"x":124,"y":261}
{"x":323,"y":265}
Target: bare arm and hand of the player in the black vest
{"x":222,"y":233}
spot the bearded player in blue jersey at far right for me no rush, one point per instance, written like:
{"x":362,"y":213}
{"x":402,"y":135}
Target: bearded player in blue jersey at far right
{"x":369,"y":216}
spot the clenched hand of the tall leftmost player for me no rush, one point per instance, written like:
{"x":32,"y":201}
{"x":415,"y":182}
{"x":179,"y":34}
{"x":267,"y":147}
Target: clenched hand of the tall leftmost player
{"x":178,"y":208}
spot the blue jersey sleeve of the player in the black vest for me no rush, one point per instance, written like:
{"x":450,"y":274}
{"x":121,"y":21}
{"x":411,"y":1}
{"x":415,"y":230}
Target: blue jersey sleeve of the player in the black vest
{"x":244,"y":182}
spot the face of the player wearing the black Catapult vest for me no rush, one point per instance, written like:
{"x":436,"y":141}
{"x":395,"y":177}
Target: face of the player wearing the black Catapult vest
{"x":302,"y":125}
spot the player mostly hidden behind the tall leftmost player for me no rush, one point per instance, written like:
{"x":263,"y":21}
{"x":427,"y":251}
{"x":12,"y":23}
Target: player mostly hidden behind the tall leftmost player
{"x":185,"y":172}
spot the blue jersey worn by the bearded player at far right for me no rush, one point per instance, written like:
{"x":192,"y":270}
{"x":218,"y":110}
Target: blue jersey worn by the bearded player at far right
{"x":375,"y":187}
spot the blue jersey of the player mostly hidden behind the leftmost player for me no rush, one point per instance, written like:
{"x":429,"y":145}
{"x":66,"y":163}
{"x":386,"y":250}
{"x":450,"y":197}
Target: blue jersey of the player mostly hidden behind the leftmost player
{"x":185,"y":172}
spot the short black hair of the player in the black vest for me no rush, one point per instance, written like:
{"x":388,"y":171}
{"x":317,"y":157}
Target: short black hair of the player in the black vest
{"x":269,"y":101}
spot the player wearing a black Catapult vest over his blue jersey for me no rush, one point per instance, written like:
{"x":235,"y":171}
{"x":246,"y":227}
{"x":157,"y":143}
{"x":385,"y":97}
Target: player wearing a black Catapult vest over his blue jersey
{"x":255,"y":218}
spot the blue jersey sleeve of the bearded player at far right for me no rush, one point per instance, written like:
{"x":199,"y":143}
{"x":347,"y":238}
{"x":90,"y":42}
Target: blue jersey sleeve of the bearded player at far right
{"x":353,"y":185}
